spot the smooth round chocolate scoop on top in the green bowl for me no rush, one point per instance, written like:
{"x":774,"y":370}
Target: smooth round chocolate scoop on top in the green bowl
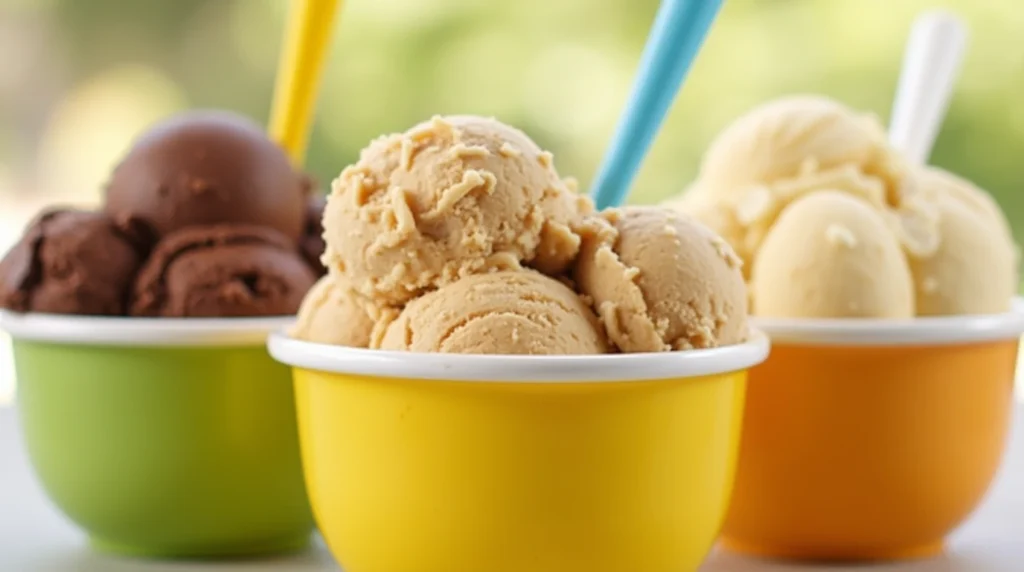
{"x":209,"y":168}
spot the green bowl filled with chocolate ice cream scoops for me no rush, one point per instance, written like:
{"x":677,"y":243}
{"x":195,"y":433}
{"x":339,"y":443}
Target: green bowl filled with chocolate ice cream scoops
{"x":153,"y":415}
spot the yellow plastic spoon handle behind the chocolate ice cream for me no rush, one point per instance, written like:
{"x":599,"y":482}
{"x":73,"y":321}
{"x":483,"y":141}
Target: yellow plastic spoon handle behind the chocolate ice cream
{"x":303,"y":58}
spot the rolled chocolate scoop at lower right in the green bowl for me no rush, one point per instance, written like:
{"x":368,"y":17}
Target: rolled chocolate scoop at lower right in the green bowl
{"x":223,"y":272}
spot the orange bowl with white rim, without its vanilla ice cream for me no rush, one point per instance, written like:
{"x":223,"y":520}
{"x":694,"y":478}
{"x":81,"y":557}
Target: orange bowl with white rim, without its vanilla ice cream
{"x":872,"y":441}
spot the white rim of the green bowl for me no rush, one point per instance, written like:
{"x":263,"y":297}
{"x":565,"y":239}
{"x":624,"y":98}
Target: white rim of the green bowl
{"x":129,"y":332}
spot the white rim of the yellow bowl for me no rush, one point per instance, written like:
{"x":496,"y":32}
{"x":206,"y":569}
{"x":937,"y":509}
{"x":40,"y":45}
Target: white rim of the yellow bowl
{"x":519,"y":369}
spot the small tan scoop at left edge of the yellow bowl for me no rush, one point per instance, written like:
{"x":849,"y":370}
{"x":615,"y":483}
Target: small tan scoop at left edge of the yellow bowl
{"x":333,"y":313}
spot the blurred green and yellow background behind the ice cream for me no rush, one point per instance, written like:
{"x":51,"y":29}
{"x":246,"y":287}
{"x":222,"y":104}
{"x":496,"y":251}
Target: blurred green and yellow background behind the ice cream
{"x":80,"y":78}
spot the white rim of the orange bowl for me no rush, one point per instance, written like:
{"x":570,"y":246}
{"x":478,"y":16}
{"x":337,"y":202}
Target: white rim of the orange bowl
{"x":930,"y":331}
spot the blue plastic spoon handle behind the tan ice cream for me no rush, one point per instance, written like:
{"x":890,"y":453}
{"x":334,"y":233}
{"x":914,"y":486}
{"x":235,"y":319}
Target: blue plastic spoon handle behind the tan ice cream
{"x":675,"y":39}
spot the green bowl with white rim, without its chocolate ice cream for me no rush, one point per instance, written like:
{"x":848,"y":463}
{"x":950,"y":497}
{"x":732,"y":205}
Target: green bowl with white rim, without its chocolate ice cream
{"x":163,"y":438}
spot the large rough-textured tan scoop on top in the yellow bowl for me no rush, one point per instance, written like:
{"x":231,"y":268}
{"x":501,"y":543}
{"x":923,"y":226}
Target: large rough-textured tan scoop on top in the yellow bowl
{"x":448,"y":199}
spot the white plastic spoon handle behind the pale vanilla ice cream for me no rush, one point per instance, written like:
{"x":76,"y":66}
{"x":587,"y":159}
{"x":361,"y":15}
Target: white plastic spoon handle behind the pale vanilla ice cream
{"x":931,"y":64}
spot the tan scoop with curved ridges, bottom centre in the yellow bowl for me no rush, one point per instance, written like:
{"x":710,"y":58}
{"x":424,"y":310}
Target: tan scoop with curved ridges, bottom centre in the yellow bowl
{"x":513,"y":313}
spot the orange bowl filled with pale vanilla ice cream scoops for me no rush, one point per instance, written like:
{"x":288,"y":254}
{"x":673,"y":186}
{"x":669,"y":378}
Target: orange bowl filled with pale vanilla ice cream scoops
{"x":888,"y":291}
